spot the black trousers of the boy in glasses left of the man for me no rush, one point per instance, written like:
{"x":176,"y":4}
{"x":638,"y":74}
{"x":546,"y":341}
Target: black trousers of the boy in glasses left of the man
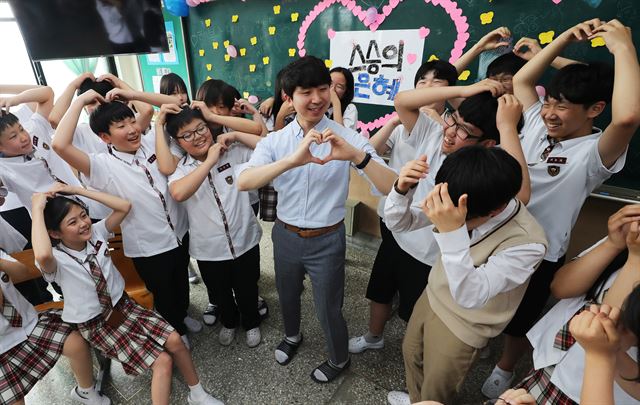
{"x":237,"y":277}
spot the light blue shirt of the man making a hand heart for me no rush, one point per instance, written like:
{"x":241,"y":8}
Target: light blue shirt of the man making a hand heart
{"x":310,"y":196}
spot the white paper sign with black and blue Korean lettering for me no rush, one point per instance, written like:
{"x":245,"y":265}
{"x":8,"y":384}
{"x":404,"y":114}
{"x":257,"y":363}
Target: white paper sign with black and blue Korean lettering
{"x":383,"y":62}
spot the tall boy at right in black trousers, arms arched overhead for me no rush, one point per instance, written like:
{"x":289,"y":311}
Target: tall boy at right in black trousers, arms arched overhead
{"x":567,"y":157}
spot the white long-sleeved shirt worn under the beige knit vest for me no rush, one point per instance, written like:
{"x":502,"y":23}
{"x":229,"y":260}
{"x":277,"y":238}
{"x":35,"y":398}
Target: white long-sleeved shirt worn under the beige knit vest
{"x":473,"y":287}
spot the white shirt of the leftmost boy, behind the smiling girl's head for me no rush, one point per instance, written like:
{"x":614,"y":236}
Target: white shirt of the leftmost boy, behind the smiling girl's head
{"x":37,"y":172}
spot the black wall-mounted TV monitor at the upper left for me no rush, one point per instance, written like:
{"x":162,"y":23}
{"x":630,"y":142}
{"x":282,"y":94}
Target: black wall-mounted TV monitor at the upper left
{"x":62,"y":29}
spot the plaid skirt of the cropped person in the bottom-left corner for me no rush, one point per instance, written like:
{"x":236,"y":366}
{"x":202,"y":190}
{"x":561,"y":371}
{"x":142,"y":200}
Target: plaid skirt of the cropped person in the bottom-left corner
{"x":22,"y":366}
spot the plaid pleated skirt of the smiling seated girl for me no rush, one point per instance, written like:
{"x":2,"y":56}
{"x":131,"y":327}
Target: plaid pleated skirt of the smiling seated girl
{"x":136,"y":343}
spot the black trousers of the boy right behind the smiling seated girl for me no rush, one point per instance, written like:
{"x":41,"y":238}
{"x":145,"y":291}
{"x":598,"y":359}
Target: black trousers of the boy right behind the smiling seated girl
{"x":166,"y":276}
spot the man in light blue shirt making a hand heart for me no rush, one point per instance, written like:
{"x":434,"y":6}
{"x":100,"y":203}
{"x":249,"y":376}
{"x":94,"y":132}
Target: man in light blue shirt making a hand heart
{"x":308,"y":162}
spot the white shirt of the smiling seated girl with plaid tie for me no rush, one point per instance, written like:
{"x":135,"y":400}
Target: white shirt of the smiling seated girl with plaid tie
{"x":78,"y":286}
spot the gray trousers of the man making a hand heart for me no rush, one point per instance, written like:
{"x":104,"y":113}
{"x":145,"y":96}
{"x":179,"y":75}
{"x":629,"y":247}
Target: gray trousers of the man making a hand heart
{"x":322,"y":258}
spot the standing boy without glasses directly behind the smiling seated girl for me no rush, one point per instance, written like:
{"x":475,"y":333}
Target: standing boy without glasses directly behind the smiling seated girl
{"x":155,"y":233}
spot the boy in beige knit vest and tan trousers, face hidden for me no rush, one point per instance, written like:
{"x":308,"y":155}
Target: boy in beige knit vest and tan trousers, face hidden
{"x":490,"y":246}
